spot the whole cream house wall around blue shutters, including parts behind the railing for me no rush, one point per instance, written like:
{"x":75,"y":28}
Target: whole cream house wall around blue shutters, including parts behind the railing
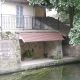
{"x":9,"y":8}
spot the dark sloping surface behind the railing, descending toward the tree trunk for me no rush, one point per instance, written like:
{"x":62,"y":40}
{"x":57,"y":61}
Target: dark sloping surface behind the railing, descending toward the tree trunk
{"x":55,"y":24}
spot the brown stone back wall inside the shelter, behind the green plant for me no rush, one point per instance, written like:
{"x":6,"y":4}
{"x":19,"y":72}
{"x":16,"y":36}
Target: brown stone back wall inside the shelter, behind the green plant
{"x":37,"y":46}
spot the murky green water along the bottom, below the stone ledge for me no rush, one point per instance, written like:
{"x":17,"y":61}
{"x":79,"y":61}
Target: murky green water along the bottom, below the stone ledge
{"x":67,"y":72}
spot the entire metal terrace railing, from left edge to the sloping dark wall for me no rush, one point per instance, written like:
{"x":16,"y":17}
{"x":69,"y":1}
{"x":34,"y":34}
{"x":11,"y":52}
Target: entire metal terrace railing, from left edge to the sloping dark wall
{"x":13,"y":22}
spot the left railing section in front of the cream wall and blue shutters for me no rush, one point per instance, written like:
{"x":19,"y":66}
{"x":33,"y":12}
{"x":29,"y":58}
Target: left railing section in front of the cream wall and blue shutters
{"x":12,"y":22}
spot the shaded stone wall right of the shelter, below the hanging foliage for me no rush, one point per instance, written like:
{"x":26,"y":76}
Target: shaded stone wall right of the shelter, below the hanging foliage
{"x":69,"y":50}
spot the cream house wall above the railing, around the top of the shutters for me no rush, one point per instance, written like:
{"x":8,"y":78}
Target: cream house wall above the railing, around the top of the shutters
{"x":10,"y":8}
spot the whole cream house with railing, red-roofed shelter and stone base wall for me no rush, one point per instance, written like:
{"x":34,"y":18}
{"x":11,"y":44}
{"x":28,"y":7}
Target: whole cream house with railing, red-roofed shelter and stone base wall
{"x":26,"y":28}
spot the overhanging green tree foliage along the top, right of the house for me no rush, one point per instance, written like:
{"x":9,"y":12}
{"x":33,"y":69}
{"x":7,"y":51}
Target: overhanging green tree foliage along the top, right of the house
{"x":62,"y":6}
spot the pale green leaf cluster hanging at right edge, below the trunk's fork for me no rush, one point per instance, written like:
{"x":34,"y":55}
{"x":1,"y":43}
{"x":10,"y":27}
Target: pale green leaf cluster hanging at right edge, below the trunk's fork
{"x":74,"y":34}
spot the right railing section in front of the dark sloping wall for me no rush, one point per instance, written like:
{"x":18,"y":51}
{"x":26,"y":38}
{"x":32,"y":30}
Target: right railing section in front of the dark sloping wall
{"x":45,"y":23}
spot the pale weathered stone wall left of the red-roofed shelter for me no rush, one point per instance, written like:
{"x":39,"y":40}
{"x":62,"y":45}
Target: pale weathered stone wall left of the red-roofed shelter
{"x":10,"y":57}
